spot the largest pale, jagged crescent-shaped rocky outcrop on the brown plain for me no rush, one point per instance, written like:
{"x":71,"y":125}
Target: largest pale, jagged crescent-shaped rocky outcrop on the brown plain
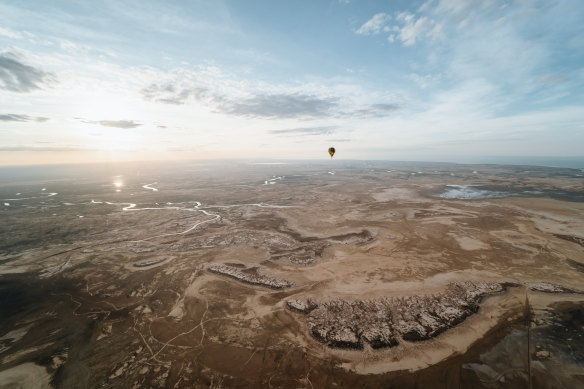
{"x":381,"y":322}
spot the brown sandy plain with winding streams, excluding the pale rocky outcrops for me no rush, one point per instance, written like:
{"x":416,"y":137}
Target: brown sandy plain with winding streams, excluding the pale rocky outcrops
{"x":107,"y":288}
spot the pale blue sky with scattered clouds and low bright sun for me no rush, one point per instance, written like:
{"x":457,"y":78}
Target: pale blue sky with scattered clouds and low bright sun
{"x":437,"y":80}
